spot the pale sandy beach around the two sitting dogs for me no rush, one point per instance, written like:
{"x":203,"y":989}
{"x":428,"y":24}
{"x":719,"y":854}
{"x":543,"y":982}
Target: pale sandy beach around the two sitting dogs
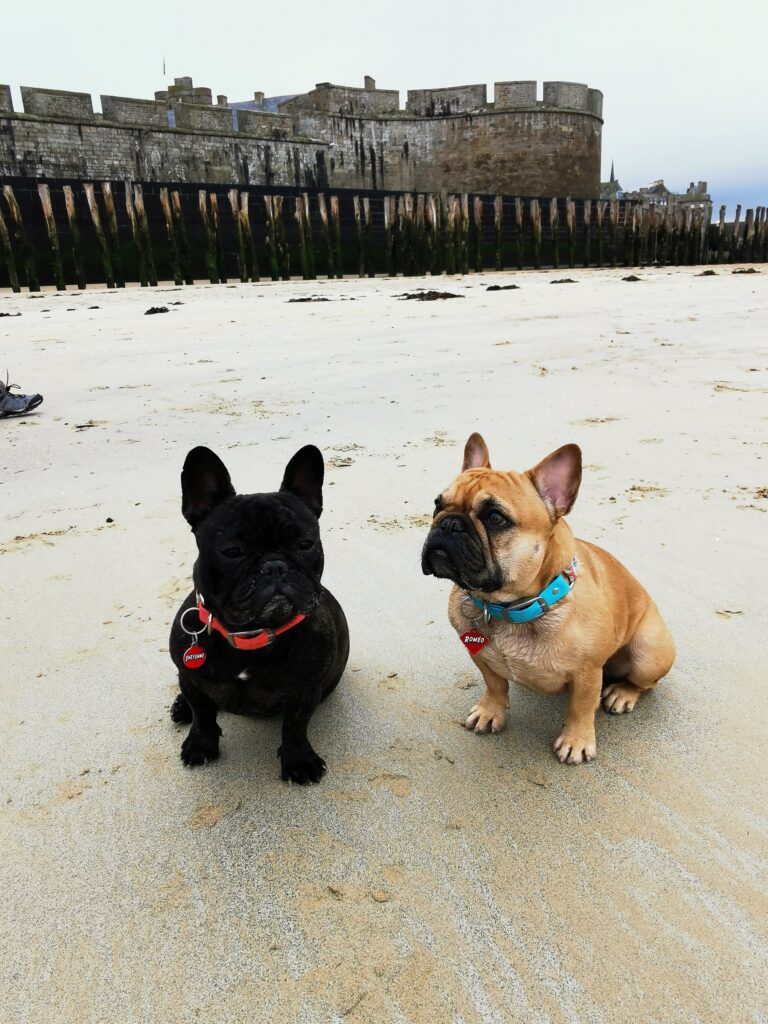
{"x":434,"y":875}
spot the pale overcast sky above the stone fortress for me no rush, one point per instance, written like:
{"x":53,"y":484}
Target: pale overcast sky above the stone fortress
{"x":686,"y":84}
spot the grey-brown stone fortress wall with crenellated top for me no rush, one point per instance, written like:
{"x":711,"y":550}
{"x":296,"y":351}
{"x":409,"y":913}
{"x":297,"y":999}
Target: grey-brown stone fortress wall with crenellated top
{"x":532,"y":139}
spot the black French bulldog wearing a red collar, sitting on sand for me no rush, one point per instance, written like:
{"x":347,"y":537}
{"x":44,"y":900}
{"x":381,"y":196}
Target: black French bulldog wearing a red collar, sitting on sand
{"x":270,"y":637}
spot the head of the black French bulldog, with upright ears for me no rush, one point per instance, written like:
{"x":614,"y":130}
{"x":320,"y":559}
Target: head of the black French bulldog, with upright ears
{"x":261,"y":556}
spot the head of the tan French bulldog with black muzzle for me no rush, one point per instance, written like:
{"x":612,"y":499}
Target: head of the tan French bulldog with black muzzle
{"x":491,"y":529}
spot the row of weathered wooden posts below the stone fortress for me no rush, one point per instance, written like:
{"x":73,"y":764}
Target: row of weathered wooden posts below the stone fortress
{"x":73,"y":234}
